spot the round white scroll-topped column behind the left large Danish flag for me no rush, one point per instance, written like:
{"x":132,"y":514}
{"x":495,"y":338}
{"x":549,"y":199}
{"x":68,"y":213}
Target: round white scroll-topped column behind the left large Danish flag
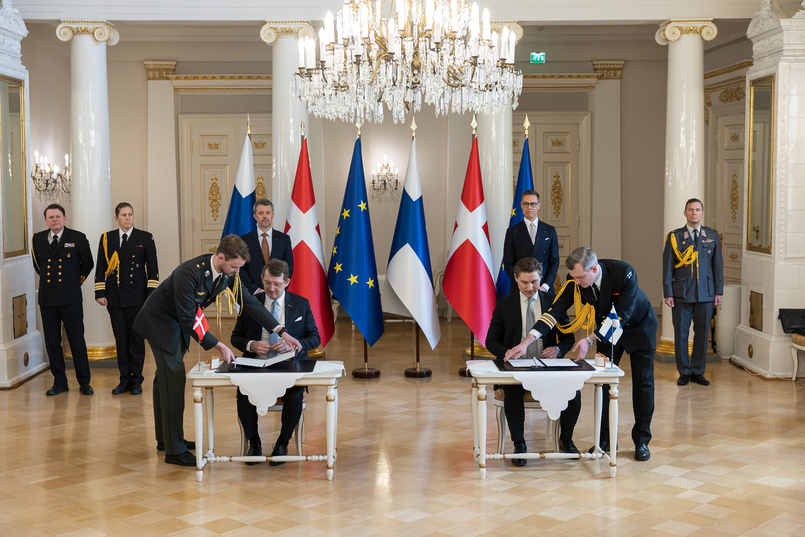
{"x":287,"y":112}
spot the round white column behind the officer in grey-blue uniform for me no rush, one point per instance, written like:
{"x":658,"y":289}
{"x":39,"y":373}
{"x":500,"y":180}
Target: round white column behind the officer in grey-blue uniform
{"x":684,"y":130}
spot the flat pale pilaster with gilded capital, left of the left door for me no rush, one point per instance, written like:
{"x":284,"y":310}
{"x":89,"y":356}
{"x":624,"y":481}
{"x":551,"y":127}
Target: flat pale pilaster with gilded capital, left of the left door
{"x":161,"y":216}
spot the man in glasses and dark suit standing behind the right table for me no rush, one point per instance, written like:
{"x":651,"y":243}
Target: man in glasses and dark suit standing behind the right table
{"x":532,"y":238}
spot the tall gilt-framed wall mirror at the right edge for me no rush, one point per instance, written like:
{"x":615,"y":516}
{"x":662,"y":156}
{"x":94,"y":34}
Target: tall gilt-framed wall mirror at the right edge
{"x":761,"y":165}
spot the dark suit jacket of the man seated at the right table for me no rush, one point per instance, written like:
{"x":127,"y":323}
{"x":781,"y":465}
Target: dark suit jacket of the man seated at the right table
{"x":506,"y":327}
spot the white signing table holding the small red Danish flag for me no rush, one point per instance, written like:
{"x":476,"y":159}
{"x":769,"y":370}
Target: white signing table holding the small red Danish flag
{"x":325,"y":374}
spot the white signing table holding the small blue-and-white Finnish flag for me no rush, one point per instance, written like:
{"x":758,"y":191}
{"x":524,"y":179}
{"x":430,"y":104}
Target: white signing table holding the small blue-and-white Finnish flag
{"x":485,"y":373}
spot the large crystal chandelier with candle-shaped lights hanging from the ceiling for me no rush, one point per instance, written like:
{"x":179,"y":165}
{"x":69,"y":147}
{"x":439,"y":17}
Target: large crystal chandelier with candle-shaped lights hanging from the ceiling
{"x":441,"y":52}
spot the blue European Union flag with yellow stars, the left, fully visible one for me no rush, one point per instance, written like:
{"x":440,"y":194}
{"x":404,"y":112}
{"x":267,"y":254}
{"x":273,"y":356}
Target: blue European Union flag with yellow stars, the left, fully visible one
{"x":352,"y":275}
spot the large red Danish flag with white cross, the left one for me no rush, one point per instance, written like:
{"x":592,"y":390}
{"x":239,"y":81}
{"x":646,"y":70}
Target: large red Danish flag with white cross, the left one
{"x":309,"y":273}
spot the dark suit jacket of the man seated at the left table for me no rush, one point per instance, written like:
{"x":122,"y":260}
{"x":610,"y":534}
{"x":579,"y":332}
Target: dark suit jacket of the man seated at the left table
{"x":299,"y":322}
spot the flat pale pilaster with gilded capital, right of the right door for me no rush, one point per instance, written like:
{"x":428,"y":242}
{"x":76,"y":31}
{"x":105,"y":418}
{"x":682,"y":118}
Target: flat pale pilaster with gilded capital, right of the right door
{"x":606,"y":233}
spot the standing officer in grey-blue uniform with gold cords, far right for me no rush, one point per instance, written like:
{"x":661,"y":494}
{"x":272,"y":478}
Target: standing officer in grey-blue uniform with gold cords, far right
{"x":692,"y":283}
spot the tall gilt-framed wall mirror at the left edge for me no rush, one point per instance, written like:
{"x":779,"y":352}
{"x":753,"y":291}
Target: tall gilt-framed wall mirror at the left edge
{"x":13,"y":167}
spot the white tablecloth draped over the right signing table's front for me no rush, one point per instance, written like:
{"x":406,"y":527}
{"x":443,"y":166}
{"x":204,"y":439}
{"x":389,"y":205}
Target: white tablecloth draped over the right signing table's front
{"x":553,"y":389}
